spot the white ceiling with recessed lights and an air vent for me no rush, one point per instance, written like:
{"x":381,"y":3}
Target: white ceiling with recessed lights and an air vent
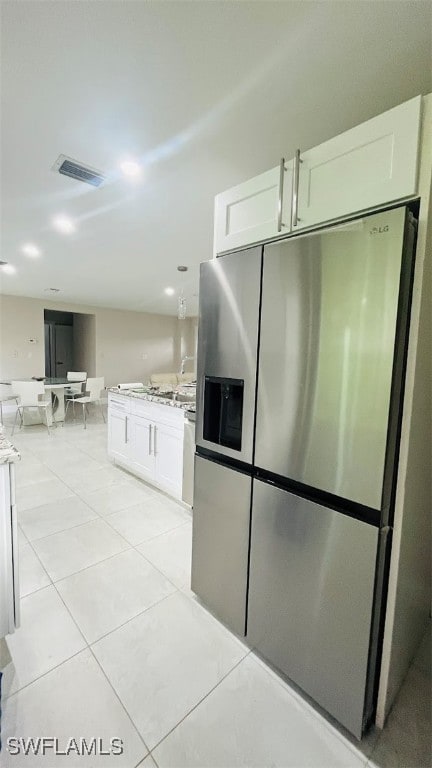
{"x":205,"y":94}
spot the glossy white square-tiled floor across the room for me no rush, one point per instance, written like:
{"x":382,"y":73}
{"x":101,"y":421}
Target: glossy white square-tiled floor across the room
{"x":113,"y":642}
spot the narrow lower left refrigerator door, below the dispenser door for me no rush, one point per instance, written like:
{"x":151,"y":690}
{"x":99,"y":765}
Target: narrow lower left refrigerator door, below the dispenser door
{"x":220,"y":541}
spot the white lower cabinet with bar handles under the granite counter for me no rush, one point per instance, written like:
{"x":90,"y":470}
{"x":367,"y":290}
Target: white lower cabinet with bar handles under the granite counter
{"x":147,"y":439}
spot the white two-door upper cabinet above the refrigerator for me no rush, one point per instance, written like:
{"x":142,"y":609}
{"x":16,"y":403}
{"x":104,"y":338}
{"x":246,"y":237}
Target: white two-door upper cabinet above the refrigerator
{"x":373,"y":164}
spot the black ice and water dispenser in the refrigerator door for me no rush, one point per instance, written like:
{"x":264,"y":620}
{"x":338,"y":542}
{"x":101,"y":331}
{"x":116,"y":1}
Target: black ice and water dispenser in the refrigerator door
{"x":223,"y":411}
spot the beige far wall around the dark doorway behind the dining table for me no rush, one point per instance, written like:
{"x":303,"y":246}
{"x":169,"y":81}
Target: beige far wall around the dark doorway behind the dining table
{"x":129,"y":346}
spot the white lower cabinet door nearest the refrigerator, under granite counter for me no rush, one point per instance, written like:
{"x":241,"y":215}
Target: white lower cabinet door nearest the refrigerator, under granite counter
{"x":168,"y":457}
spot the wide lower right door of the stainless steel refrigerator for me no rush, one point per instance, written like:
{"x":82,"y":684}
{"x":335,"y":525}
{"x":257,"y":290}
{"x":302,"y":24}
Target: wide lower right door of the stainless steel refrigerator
{"x":310,"y":598}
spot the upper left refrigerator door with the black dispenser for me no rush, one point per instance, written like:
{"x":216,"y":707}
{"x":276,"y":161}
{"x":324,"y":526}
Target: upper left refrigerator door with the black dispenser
{"x":227,"y":353}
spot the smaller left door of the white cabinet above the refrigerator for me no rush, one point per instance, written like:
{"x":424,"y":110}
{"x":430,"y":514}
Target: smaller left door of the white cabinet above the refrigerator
{"x":256,"y":210}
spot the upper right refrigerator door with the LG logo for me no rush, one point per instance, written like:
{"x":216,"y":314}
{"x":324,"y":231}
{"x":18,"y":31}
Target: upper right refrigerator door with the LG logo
{"x":327,"y":349}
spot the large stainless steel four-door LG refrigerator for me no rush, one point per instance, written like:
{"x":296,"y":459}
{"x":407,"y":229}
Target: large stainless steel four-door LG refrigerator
{"x":302,"y":350}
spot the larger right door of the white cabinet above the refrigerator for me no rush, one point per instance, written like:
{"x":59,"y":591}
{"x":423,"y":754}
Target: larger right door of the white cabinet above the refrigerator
{"x":370,"y":165}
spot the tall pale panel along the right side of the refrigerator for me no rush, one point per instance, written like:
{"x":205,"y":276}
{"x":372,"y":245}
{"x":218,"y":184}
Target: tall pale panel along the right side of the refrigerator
{"x":409,"y":594}
